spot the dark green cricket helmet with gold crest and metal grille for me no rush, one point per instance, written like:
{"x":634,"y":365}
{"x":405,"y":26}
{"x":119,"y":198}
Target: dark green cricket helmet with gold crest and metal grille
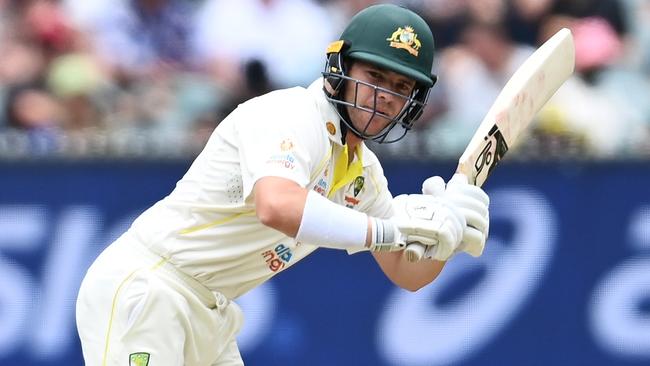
{"x":393,"y":38}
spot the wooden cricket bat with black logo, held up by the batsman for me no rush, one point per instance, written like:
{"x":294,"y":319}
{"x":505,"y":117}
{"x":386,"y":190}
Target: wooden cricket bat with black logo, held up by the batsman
{"x":529,"y":88}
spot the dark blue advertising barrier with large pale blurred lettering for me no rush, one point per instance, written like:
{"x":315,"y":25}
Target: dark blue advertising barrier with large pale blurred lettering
{"x":565,"y":279}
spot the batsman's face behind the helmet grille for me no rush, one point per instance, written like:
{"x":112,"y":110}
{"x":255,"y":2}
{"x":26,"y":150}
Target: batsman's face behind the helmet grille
{"x":364,"y":96}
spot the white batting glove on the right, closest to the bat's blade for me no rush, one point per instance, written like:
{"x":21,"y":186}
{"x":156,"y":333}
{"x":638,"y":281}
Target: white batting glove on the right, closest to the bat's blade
{"x":472,"y":202}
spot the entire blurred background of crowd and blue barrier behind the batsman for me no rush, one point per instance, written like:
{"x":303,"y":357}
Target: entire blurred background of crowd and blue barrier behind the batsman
{"x":104,"y":105}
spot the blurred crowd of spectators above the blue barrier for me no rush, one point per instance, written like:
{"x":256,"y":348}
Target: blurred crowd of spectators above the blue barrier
{"x":152,"y":78}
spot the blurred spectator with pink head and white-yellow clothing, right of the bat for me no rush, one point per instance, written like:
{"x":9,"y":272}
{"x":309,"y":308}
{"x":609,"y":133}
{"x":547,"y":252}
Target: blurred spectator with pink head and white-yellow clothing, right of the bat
{"x":604,"y":109}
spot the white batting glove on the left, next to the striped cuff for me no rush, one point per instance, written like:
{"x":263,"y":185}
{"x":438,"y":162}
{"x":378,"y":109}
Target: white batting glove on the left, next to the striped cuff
{"x":429,"y":220}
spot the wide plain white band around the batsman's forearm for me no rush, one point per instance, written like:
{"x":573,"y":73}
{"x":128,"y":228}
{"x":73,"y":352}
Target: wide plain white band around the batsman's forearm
{"x":326,"y":224}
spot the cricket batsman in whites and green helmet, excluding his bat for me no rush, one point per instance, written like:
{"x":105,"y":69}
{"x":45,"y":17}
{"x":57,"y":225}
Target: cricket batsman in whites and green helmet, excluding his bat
{"x":282,"y":175}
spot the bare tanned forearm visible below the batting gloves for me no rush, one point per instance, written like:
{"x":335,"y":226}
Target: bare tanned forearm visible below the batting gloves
{"x":407,"y":275}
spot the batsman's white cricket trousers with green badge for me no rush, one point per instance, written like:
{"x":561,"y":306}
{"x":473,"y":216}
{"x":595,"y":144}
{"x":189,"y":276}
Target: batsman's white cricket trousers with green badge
{"x":135,"y":308}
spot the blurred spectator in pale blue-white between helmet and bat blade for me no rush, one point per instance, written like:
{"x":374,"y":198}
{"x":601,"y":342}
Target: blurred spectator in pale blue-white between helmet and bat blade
{"x":475,"y":72}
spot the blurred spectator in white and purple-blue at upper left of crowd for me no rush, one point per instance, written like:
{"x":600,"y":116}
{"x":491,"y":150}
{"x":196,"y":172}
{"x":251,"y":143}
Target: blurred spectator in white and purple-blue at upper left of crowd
{"x":138,"y":38}
